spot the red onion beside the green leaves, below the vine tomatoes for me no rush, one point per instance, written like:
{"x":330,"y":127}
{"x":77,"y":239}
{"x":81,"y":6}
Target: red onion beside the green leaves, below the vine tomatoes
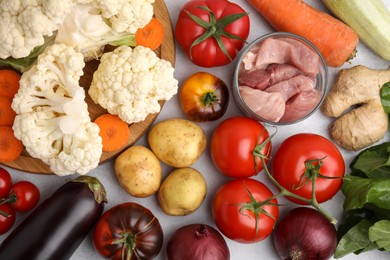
{"x":305,"y":234}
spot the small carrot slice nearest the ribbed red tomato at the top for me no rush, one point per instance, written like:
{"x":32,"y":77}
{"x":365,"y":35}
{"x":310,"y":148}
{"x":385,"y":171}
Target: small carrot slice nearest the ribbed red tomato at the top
{"x":151,"y":35}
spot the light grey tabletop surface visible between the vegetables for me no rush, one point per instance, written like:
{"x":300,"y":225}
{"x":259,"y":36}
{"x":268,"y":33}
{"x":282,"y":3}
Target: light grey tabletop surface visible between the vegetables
{"x":317,"y":123}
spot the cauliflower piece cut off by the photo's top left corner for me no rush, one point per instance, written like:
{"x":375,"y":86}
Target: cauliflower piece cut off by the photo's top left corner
{"x":24,"y":24}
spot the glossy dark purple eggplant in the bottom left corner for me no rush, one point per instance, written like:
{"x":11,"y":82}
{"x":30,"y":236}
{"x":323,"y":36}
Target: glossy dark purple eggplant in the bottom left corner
{"x":56,"y":228}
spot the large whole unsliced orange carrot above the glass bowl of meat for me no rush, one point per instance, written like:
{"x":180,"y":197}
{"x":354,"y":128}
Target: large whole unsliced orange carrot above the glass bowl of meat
{"x":334,"y":39}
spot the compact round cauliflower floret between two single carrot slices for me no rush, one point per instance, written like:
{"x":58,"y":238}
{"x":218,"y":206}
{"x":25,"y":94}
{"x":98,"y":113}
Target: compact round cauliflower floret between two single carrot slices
{"x":130,"y":82}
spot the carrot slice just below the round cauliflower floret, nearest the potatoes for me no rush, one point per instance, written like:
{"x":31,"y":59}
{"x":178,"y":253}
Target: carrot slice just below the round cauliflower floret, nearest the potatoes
{"x":114,"y":132}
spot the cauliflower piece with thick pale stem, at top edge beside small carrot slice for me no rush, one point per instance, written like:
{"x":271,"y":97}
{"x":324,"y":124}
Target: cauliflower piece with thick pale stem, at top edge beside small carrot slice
{"x":91,"y":24}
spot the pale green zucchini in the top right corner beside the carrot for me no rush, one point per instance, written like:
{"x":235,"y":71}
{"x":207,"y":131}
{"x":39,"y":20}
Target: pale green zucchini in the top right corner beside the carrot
{"x":369,"y":19}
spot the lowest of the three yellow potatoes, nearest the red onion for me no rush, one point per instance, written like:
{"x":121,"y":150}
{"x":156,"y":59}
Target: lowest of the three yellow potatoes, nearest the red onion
{"x":182,"y":192}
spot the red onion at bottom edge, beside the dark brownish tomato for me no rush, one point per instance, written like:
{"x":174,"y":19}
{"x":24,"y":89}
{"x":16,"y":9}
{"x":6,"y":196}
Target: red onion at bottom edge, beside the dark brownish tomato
{"x":197,"y":241}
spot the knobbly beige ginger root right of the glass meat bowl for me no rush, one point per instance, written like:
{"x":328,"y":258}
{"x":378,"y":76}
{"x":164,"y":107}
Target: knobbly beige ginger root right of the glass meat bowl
{"x":355,"y":100}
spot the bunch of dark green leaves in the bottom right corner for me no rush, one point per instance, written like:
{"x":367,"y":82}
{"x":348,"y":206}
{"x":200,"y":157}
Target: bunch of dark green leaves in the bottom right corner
{"x":366,"y":220}
